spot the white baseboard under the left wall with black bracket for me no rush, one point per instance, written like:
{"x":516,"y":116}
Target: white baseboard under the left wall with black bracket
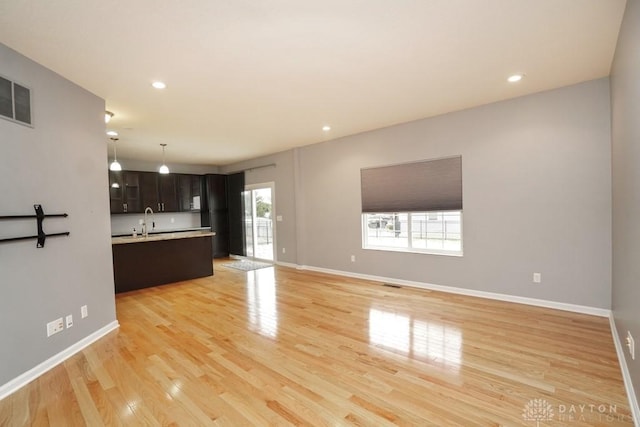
{"x":33,"y":373}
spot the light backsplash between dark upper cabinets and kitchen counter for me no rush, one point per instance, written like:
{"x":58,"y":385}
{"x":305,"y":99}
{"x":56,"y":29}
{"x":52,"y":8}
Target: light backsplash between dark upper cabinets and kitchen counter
{"x":125,"y":223}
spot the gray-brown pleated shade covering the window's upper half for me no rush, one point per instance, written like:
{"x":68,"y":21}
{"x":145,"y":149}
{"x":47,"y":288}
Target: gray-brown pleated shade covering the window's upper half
{"x":431,"y":185}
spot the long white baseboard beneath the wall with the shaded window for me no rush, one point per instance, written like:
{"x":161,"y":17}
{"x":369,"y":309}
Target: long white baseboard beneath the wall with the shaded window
{"x":594,"y":311}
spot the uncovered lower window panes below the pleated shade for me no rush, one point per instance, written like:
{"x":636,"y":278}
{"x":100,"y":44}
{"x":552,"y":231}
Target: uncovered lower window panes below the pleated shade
{"x":422,"y":232}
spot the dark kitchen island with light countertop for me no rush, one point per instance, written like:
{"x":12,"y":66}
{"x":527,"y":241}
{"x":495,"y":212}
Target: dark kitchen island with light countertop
{"x":158,"y":259}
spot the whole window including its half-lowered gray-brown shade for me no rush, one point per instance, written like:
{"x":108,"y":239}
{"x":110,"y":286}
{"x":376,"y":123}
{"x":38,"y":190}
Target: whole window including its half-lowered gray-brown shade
{"x":413,"y":207}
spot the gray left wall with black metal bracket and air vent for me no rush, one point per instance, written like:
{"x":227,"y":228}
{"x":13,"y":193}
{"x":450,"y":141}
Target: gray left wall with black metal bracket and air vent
{"x":60,"y":164}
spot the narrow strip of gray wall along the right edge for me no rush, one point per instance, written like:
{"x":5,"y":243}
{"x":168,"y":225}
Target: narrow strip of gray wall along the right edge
{"x":625,"y":106}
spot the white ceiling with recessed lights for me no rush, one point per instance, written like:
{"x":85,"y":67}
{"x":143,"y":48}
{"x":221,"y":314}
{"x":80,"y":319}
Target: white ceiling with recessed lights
{"x":251,"y":77}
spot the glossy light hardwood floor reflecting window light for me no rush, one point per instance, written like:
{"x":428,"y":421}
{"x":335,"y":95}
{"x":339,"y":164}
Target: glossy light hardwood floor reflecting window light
{"x":278,"y":346}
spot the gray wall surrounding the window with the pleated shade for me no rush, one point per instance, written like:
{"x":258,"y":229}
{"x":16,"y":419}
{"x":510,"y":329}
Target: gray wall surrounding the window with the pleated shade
{"x":537,"y":197}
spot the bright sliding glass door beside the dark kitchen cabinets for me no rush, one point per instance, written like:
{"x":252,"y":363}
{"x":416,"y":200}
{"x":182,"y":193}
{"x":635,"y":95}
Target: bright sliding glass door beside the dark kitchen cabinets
{"x":258,"y":221}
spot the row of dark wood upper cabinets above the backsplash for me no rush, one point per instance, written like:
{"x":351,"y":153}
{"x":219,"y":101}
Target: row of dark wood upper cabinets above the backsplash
{"x":133,"y":191}
